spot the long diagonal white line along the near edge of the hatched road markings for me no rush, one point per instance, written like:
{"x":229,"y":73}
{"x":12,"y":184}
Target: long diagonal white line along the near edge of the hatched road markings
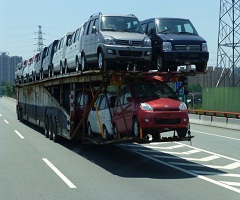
{"x":191,"y":173}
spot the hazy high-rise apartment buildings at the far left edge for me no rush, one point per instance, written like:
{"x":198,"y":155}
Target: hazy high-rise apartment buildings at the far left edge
{"x":7,"y":67}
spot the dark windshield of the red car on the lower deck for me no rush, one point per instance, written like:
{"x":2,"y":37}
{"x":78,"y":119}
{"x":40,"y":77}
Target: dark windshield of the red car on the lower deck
{"x":153,"y":91}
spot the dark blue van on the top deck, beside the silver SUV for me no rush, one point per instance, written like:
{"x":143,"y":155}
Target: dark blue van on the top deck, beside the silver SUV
{"x":175,"y":42}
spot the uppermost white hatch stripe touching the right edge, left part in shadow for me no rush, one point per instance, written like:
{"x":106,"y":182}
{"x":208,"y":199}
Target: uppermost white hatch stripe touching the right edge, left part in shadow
{"x":230,"y":166}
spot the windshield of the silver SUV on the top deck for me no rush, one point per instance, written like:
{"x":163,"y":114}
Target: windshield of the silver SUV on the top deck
{"x":121,"y":23}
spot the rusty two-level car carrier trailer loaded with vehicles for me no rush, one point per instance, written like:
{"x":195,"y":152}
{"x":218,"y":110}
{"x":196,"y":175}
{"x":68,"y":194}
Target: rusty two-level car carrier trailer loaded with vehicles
{"x":50,"y":103}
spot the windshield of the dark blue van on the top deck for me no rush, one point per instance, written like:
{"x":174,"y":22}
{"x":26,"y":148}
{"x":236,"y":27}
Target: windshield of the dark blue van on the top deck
{"x":175,"y":26}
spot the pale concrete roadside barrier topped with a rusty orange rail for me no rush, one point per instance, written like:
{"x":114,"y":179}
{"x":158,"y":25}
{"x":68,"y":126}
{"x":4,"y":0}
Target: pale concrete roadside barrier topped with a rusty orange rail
{"x":230,"y":120}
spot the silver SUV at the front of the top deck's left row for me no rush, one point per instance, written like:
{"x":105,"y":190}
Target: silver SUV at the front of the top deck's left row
{"x":115,"y":42}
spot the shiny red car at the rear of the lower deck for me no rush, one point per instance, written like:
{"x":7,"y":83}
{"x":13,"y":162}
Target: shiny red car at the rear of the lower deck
{"x":152,"y":106}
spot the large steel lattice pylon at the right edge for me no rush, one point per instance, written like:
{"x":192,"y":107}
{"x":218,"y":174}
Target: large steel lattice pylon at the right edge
{"x":228,"y":53}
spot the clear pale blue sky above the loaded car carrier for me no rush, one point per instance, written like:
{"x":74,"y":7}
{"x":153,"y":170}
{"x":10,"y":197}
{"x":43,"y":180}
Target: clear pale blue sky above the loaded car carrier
{"x":19,"y":19}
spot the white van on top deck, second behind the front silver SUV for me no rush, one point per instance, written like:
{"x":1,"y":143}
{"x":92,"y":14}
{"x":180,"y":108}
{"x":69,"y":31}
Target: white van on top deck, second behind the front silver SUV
{"x":59,"y":54}
